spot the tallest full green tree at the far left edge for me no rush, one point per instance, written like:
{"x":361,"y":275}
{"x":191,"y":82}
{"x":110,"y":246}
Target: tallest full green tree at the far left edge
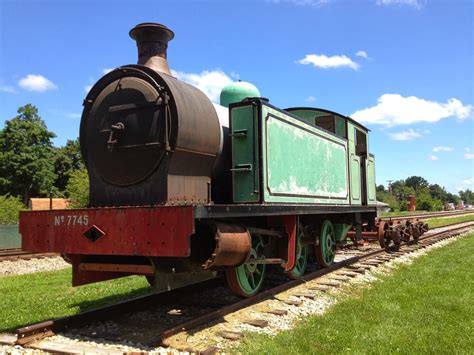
{"x":26,"y":155}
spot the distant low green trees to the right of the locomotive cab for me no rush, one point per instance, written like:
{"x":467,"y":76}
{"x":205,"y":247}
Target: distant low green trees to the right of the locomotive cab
{"x":429,"y":197}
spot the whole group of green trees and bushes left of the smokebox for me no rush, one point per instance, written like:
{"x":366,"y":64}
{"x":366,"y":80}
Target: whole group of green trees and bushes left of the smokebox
{"x":30,"y":166}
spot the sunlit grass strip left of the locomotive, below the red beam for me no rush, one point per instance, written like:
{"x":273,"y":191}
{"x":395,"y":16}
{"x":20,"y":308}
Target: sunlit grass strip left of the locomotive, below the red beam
{"x":31,"y":298}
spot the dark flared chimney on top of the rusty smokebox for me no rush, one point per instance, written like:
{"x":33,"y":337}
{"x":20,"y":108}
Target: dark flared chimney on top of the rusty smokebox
{"x":152,"y":42}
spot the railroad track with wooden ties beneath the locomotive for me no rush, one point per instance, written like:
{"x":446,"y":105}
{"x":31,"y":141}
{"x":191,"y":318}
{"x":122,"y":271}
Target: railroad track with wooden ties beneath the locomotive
{"x":190,"y":313}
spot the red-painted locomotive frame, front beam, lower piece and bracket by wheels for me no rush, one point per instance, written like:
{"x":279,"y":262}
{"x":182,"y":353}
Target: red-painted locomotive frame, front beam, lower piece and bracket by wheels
{"x":158,"y":231}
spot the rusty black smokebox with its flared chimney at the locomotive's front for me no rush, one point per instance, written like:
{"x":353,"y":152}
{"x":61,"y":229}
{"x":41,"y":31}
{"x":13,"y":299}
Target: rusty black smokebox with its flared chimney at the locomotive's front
{"x":146,"y":137}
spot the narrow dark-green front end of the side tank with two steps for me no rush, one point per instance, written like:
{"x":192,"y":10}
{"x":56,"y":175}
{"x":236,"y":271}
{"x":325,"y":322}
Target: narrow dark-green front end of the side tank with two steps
{"x":245,"y":167}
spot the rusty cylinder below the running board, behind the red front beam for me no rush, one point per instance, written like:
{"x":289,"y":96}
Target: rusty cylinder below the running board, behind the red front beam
{"x":233,"y":244}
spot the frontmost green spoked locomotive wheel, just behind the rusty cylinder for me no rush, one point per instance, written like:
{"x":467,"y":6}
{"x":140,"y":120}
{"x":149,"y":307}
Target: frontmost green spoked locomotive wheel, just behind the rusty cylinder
{"x":246,"y":279}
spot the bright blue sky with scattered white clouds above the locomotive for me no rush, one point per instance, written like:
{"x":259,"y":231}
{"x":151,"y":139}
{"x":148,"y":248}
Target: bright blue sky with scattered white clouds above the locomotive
{"x":404,"y":68}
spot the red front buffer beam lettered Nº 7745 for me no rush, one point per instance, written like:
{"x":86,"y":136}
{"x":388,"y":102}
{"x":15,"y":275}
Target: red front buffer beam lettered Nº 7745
{"x":144,"y":231}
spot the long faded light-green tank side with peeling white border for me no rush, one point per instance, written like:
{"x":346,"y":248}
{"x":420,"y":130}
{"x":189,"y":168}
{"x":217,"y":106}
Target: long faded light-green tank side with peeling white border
{"x":302,"y":163}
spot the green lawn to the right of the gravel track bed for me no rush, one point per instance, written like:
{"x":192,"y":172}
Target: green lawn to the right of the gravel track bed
{"x":427,"y":307}
